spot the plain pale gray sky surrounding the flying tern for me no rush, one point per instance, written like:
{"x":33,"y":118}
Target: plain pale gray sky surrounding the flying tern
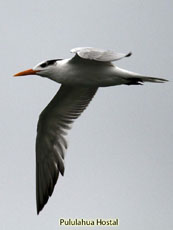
{"x":119,"y":161}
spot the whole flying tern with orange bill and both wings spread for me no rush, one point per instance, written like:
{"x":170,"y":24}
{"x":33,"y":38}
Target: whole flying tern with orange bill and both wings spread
{"x":80,"y":77}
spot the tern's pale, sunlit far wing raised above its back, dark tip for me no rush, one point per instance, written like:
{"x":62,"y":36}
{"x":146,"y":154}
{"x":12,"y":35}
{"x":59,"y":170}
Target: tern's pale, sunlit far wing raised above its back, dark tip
{"x":98,"y":54}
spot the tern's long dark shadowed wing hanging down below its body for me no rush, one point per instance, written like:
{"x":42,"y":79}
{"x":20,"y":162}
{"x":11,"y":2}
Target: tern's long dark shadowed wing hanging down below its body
{"x":53,"y":124}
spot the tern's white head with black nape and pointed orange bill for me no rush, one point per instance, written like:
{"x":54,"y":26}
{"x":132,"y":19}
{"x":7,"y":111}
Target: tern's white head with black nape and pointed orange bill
{"x":44,"y":69}
